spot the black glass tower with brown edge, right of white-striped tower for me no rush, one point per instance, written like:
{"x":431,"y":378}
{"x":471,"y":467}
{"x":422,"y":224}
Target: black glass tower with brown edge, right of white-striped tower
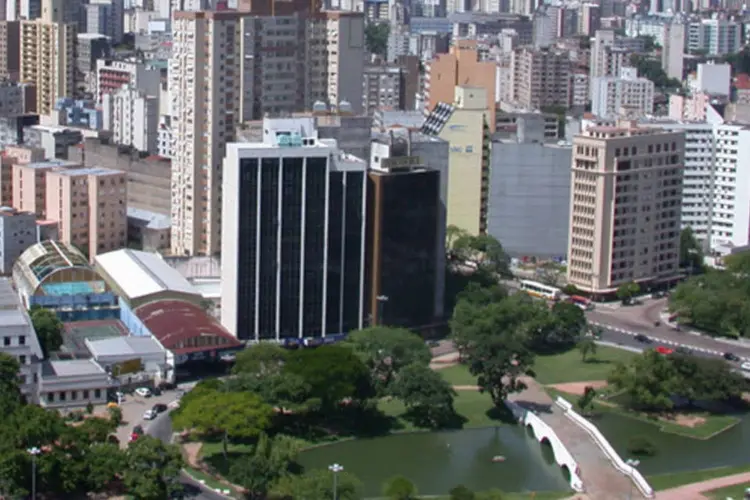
{"x":403,"y":265}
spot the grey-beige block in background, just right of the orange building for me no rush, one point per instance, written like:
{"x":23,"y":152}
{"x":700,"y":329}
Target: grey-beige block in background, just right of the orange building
{"x":541,"y":78}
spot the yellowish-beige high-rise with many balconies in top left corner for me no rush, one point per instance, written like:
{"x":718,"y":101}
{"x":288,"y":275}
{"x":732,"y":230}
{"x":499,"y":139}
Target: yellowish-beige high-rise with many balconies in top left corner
{"x":47,"y":55}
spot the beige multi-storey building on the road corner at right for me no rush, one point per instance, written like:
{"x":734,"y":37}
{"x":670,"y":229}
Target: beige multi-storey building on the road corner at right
{"x":626,"y":193}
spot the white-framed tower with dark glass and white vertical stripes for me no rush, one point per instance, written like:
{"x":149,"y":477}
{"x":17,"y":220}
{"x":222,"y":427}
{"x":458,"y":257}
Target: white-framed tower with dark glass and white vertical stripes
{"x":293,"y":246}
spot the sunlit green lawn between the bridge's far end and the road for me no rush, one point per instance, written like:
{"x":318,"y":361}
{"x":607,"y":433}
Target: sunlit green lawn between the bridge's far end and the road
{"x":569,"y":367}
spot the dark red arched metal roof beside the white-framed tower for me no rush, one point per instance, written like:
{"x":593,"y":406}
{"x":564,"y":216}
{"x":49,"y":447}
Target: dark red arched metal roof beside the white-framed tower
{"x":183,"y":327}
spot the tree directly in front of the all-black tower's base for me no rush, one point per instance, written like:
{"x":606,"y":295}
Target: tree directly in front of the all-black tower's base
{"x":386,"y":351}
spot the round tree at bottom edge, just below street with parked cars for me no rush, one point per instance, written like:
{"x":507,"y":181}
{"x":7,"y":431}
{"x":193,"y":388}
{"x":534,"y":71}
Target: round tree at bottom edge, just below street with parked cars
{"x":153,"y":469}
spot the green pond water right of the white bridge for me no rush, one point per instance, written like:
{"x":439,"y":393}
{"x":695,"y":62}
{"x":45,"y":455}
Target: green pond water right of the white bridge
{"x":678,"y":453}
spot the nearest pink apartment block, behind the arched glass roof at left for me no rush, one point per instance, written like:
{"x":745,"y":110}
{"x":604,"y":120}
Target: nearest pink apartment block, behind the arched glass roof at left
{"x":89,"y":205}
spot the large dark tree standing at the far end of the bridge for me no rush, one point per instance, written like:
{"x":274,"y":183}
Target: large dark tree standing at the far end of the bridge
{"x":494,"y":341}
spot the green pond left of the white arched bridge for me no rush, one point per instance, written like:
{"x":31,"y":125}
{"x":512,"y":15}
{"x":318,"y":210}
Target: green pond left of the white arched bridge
{"x":439,"y":461}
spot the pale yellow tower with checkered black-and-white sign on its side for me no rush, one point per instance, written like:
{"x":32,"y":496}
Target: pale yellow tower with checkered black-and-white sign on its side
{"x":465,"y":125}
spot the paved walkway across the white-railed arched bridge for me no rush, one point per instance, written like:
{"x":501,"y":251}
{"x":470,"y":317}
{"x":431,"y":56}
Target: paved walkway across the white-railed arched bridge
{"x":601,"y":480}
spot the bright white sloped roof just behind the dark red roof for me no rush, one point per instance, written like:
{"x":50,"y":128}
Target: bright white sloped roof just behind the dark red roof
{"x":140,"y":274}
